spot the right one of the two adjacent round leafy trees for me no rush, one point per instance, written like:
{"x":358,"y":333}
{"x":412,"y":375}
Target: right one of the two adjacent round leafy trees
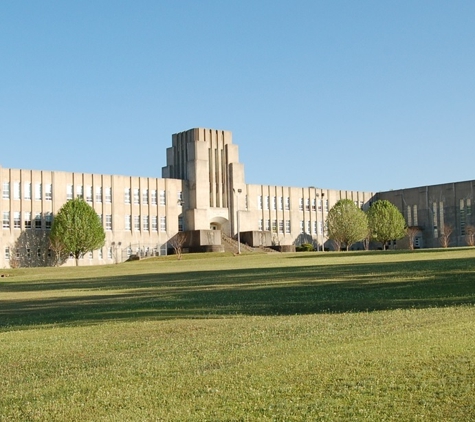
{"x":386,"y":222}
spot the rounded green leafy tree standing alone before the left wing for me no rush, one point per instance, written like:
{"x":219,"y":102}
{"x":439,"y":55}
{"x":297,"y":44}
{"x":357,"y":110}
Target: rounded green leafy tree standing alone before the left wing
{"x":78,"y":228}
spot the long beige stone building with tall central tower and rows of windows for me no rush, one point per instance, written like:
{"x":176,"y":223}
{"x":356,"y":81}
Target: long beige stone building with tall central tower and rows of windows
{"x":202,"y":190}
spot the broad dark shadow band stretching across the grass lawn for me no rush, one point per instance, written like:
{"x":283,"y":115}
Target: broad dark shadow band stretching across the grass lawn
{"x":270,"y":291}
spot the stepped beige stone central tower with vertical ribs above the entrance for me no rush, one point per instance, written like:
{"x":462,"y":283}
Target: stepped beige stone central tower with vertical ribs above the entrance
{"x":209,"y":163}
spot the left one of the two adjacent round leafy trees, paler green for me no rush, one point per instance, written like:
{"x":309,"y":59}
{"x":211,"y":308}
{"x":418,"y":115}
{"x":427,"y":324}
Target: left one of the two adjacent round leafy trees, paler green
{"x":346,"y":223}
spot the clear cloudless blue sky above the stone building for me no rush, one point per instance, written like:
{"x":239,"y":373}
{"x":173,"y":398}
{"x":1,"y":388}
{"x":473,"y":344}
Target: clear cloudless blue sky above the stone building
{"x":364,"y":95}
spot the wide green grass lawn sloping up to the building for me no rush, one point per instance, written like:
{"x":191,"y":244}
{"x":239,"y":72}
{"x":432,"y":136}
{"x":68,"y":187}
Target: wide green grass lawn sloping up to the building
{"x":287,"y":337}
